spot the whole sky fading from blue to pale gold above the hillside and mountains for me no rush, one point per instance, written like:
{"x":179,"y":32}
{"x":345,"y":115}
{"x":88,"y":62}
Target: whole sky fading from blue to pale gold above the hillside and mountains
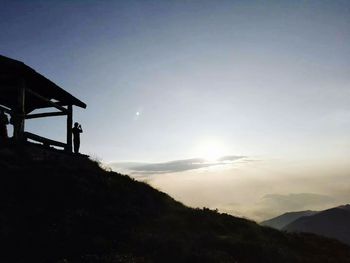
{"x":237,"y":105}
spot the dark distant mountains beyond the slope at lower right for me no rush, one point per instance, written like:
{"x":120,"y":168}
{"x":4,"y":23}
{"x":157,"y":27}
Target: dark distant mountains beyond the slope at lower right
{"x":333,"y":223}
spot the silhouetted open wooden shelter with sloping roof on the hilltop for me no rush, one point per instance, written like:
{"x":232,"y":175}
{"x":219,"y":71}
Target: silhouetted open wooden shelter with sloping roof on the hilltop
{"x":23,"y":90}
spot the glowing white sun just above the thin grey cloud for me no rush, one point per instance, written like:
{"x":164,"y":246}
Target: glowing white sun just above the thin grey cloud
{"x":211,"y":149}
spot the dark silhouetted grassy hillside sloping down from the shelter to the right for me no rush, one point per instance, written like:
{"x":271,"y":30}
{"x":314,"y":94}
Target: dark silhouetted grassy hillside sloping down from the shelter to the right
{"x":65,"y":208}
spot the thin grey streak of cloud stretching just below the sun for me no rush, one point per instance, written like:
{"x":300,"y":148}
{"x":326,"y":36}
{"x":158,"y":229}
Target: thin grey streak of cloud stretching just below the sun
{"x":173,"y":166}
